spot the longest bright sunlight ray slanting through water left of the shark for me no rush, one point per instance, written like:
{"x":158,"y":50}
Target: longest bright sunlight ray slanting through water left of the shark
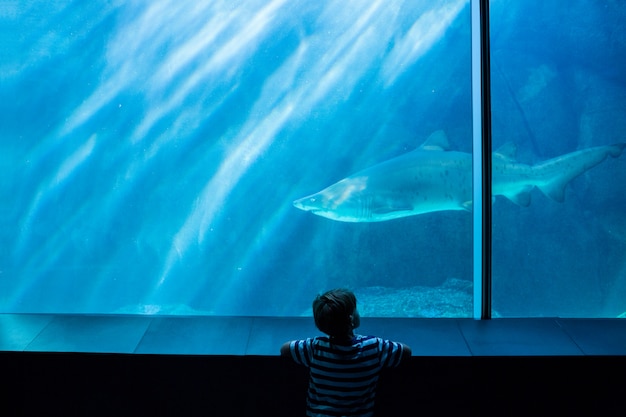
{"x":262,"y":132}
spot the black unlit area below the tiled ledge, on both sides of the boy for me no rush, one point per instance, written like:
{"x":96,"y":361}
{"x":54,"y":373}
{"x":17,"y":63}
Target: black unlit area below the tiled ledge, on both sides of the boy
{"x":82,"y":384}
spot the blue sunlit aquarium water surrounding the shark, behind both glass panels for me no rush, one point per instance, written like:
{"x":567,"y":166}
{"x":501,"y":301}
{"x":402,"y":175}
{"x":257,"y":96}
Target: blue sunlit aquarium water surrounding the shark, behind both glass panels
{"x":151,"y":152}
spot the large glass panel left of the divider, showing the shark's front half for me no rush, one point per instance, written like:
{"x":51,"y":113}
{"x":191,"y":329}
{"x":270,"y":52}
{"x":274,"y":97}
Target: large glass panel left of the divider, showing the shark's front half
{"x":151,"y":152}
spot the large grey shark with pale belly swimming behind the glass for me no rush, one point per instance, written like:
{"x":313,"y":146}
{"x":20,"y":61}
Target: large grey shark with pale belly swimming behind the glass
{"x":434,"y":178}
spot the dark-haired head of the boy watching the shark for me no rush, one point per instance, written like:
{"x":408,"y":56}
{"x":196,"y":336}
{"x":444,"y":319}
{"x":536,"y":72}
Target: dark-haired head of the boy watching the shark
{"x":335,"y":312}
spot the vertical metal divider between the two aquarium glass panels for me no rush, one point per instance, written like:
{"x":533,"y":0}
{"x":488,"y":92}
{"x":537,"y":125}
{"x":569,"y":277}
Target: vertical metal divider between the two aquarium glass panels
{"x":481,"y":158}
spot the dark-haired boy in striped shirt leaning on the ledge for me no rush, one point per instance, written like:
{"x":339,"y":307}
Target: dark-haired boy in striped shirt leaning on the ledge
{"x":344,"y":367}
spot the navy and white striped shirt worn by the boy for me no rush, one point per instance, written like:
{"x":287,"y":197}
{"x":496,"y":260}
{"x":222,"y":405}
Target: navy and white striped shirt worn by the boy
{"x":343,"y":378}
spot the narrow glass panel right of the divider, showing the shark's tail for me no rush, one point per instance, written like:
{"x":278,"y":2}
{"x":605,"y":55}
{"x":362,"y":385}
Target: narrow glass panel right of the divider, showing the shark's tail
{"x":559,"y":97}
